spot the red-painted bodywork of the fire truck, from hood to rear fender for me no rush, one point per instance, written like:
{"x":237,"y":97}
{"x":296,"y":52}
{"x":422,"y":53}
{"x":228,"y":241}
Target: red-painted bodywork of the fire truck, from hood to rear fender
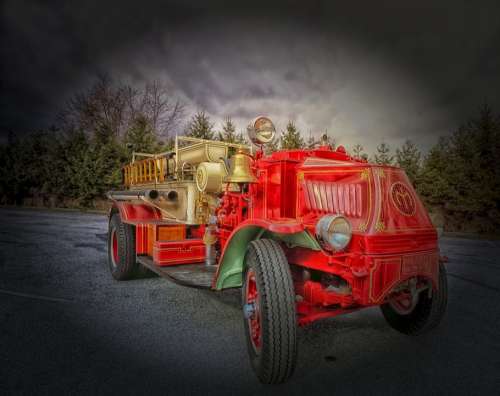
{"x":393,"y":239}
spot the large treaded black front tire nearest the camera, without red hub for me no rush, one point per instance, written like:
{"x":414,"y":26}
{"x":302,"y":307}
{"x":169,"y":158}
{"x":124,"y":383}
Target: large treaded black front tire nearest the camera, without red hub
{"x":276,"y":360}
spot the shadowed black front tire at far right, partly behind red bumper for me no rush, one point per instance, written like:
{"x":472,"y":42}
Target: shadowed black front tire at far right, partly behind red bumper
{"x":426,"y":315}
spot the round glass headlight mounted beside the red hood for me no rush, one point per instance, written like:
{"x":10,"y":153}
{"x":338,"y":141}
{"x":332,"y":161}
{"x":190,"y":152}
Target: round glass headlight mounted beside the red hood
{"x":334,"y":232}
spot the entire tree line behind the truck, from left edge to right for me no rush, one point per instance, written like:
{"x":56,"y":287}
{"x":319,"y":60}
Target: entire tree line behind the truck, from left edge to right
{"x":77,"y":162}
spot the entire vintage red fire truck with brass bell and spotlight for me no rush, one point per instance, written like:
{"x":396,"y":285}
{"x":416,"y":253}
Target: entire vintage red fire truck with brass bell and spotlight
{"x":306,"y":234}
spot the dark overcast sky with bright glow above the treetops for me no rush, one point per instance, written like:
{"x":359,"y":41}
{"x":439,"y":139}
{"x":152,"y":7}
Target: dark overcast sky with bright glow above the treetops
{"x":364,"y":71}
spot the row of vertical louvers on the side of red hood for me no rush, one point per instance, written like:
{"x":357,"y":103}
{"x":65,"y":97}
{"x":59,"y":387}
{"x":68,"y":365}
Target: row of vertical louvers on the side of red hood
{"x":328,"y":197}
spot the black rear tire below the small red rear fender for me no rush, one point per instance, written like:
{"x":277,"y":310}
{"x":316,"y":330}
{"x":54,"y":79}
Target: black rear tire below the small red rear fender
{"x":126,"y":266}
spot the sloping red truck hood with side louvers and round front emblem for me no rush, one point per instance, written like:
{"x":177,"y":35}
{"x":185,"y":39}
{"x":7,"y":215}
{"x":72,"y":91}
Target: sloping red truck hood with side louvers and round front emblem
{"x":379,"y":201}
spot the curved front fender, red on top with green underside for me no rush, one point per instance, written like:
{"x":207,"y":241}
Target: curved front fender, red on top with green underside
{"x":290,"y":232}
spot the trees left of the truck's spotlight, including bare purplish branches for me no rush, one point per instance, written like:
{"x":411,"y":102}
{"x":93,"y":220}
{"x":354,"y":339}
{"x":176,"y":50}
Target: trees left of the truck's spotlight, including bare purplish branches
{"x":77,"y":162}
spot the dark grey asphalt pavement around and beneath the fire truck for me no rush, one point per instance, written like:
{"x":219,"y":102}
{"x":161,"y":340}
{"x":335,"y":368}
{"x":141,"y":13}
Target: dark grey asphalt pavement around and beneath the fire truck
{"x":66,"y":327}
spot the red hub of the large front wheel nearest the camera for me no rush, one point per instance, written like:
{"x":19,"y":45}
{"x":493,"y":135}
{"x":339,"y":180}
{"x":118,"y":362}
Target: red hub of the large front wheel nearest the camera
{"x":252,"y":310}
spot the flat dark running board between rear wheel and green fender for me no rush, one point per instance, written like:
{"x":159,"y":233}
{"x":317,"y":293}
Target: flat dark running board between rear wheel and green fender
{"x":192,"y":275}
